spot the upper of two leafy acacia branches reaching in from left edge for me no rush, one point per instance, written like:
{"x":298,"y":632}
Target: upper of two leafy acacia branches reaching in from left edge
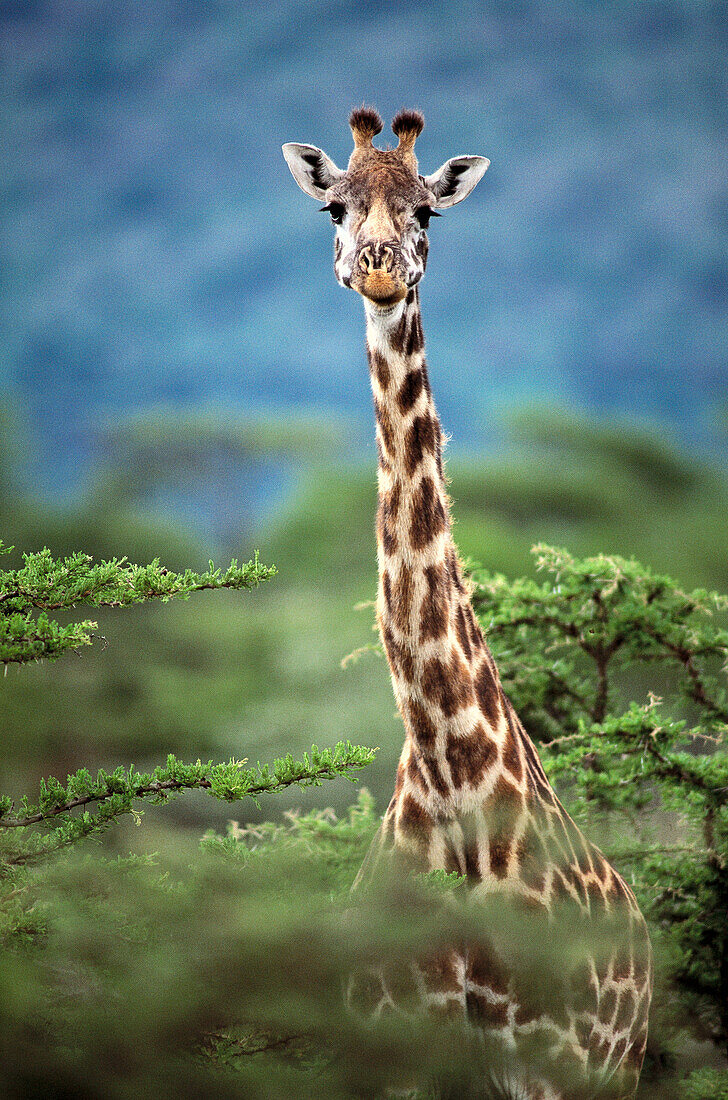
{"x":48,"y":585}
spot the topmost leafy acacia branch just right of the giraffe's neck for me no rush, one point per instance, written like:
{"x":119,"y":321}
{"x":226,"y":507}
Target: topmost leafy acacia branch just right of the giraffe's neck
{"x":593,"y":613}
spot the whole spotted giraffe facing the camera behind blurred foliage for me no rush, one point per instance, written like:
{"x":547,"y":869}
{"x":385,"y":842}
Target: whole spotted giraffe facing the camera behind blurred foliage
{"x":471,"y":795}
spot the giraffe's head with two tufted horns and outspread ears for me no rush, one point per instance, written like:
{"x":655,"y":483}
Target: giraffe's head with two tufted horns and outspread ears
{"x":381,"y":206}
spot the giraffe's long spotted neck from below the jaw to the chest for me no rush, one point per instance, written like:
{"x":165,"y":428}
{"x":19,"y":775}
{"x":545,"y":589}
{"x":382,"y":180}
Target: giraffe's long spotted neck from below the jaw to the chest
{"x":446,"y":683}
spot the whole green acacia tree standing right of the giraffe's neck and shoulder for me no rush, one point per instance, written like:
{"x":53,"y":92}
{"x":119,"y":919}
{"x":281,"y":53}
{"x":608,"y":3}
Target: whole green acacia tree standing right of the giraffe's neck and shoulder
{"x":573,"y":652}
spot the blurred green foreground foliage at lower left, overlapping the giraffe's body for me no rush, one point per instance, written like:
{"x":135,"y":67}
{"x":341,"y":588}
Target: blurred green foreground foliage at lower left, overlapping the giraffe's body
{"x":220,"y":972}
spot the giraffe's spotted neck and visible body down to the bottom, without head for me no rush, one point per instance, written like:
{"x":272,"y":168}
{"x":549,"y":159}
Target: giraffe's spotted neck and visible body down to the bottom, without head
{"x":471,"y":794}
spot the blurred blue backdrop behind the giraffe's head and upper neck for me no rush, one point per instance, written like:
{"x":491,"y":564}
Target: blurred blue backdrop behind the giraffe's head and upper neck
{"x":158,"y":254}
